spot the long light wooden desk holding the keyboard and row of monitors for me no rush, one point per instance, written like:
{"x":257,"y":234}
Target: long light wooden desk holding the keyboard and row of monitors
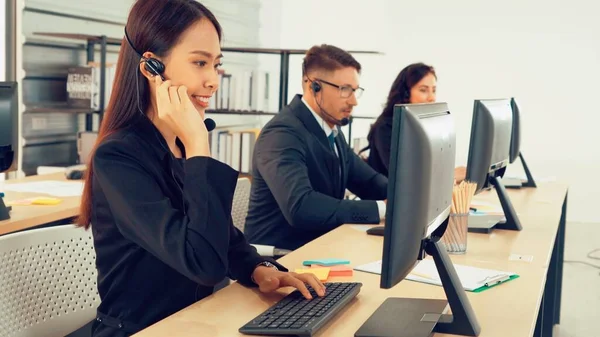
{"x":510,"y":309}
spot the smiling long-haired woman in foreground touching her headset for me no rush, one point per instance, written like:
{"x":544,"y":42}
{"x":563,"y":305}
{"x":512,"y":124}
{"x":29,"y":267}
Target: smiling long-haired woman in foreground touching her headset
{"x":158,"y":205}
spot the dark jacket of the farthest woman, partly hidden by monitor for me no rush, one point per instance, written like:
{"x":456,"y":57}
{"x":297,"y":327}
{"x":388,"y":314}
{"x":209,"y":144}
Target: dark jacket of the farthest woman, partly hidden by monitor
{"x":380,"y":145}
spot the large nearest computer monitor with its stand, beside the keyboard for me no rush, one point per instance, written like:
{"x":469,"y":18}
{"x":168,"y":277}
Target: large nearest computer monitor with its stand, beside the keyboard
{"x":421,"y":179}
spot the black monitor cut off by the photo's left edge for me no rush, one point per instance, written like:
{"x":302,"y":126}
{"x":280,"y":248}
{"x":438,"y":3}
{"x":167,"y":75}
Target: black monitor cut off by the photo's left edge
{"x":8,"y":133}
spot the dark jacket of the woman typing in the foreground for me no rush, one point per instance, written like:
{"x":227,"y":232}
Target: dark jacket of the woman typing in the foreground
{"x":162,"y":228}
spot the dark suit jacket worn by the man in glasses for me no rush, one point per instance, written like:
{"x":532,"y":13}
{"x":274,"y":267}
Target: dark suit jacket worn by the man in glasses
{"x":297,"y":192}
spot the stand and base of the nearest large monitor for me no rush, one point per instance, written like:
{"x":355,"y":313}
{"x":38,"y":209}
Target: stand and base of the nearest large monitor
{"x":410,"y":317}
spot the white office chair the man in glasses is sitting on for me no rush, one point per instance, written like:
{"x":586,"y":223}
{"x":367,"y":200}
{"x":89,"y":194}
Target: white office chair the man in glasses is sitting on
{"x":239,"y":211}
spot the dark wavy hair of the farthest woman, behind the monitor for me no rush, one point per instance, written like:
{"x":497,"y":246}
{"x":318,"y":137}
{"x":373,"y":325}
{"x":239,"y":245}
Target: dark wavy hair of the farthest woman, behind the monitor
{"x":400,"y":91}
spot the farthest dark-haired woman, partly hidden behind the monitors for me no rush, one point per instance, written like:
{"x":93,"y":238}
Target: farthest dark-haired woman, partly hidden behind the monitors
{"x":416,"y":83}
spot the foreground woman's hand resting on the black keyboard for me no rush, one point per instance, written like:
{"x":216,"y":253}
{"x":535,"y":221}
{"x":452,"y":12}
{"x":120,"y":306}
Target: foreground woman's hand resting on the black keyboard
{"x":270,"y":279}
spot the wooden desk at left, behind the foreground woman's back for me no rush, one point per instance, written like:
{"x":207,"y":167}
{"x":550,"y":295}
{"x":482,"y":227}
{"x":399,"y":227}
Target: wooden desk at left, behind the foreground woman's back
{"x":24,"y":217}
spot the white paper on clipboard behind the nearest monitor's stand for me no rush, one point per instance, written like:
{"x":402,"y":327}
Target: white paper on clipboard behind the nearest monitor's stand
{"x":472,"y":279}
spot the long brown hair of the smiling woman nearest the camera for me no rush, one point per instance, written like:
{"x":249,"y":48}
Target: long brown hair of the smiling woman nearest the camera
{"x":152,"y":25}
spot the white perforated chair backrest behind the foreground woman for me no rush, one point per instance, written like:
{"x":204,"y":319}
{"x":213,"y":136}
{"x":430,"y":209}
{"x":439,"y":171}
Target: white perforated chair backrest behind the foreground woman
{"x":47,"y":281}
